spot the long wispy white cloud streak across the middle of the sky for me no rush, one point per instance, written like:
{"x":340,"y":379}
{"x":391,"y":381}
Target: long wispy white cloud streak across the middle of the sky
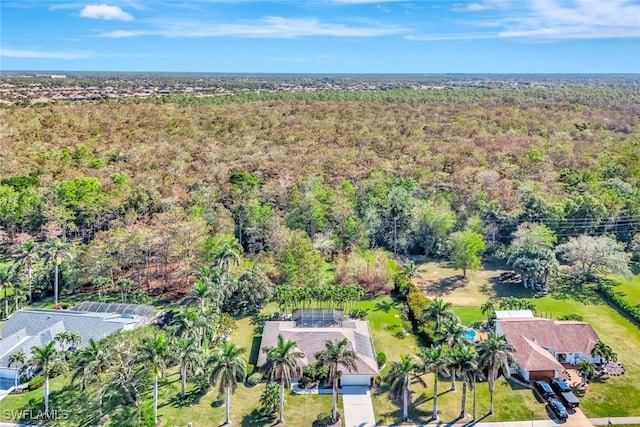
{"x":268,"y":27}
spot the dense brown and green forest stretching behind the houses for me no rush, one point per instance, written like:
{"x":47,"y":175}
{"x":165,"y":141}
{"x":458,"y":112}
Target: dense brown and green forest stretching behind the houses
{"x":147,"y":189}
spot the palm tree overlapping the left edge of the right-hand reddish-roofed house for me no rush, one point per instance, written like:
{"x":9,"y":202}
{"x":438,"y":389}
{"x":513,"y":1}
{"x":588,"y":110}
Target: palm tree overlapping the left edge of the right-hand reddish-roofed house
{"x":495,"y":354}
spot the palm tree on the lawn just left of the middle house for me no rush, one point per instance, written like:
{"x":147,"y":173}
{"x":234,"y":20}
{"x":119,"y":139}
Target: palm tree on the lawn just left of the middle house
{"x":227,"y":369}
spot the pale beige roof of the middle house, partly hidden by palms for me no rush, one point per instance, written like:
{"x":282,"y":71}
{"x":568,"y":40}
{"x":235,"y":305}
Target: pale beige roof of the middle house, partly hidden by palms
{"x":312,"y":340}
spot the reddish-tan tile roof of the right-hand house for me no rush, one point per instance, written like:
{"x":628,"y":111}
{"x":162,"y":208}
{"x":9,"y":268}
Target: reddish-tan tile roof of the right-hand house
{"x":531,"y":337}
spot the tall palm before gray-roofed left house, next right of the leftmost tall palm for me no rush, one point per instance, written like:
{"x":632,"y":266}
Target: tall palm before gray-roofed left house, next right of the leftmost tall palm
{"x":91,"y":362}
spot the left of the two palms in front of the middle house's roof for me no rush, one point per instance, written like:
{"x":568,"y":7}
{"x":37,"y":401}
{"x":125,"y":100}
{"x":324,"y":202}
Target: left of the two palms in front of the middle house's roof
{"x":281,"y":364}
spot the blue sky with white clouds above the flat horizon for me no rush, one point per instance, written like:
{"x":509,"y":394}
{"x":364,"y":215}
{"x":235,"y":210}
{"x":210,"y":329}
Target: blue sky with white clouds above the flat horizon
{"x":322,"y":36}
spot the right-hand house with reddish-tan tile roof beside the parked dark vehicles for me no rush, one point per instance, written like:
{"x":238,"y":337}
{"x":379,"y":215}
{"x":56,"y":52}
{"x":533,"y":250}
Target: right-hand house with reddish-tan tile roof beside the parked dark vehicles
{"x":543,"y":345}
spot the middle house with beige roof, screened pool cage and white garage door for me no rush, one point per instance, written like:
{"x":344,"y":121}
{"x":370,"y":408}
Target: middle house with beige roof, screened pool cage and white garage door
{"x":311,"y":329}
